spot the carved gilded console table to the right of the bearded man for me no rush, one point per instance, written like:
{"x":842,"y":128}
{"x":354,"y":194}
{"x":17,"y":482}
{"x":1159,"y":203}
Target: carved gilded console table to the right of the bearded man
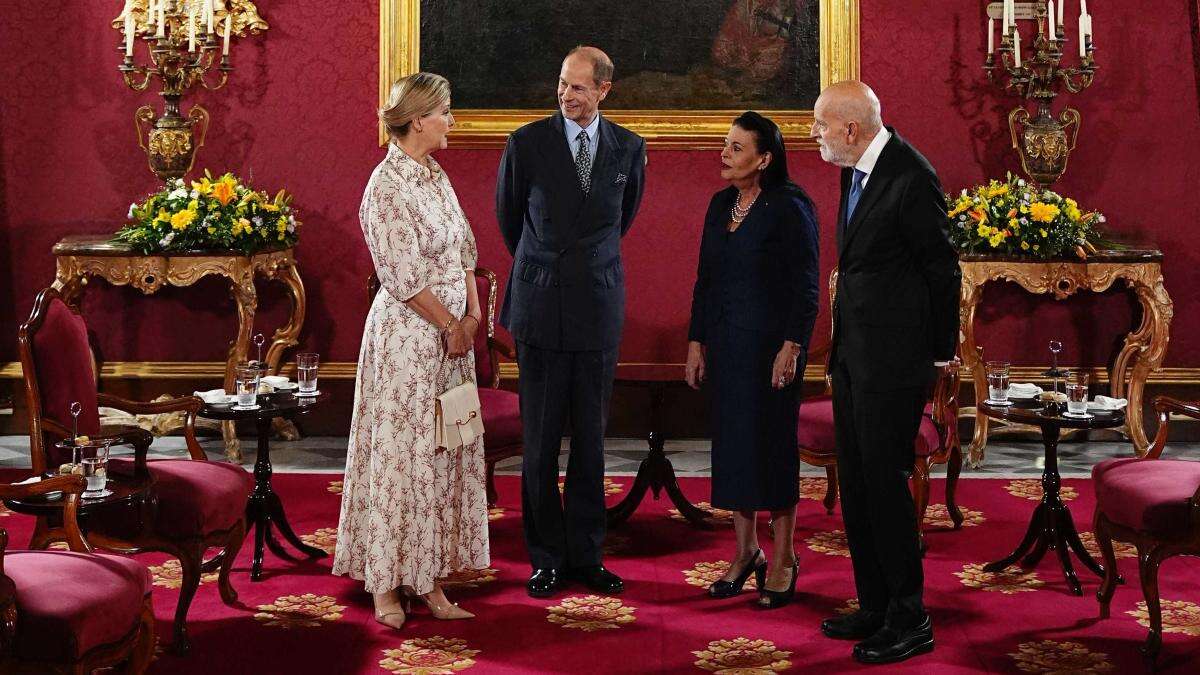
{"x":1144,"y":348}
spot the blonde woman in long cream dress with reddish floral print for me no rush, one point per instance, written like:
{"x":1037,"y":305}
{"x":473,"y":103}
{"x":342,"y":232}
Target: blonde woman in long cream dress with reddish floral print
{"x":413,"y":513}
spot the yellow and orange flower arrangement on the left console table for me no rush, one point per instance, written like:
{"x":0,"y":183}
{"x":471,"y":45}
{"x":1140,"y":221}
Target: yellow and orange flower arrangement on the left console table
{"x":211,"y":214}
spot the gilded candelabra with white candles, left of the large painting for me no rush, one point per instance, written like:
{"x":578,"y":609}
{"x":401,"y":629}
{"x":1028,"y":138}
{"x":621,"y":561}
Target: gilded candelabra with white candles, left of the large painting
{"x":188,"y":44}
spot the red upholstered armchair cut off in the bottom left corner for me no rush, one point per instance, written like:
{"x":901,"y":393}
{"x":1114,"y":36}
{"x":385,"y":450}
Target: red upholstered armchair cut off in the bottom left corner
{"x":74,"y":611}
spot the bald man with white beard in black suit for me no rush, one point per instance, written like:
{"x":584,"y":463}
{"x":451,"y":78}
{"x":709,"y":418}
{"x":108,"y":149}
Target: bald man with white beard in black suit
{"x":896,"y":320}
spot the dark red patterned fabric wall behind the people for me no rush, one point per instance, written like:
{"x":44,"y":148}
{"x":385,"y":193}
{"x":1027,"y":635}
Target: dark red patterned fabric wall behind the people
{"x":298,"y":115}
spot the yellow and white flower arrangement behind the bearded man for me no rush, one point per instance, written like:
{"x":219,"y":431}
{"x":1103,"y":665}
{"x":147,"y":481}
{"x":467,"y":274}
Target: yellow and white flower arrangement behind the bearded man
{"x":1017,"y":219}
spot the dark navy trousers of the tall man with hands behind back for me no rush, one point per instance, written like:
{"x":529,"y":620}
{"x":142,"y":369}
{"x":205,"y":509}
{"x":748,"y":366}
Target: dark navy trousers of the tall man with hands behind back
{"x":565,"y":531}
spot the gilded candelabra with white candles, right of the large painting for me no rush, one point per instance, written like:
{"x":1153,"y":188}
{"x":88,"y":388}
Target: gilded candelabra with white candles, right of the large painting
{"x":1042,"y":142}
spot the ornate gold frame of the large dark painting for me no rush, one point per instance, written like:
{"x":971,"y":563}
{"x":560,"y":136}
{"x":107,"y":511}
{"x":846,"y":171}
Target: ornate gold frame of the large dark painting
{"x":400,"y":43}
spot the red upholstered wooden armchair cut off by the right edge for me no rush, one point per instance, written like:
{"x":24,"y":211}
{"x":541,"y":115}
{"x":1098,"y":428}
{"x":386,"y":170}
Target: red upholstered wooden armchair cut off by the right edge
{"x":1155,"y":505}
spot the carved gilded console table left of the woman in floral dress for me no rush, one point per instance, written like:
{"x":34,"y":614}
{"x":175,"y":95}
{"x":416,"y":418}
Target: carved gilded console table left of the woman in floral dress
{"x":82,"y":256}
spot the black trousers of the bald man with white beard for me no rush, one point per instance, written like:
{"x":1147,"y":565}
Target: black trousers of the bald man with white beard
{"x":875,"y":434}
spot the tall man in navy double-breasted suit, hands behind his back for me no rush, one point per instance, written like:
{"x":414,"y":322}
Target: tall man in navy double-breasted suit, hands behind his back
{"x":568,"y":190}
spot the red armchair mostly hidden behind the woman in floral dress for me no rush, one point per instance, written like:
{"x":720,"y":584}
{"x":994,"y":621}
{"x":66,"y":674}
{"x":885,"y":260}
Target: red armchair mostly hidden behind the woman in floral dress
{"x":501,"y":408}
